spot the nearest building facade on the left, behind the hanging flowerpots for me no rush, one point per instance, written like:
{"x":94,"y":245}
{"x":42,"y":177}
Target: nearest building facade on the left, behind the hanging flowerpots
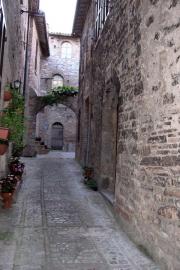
{"x":13,"y":29}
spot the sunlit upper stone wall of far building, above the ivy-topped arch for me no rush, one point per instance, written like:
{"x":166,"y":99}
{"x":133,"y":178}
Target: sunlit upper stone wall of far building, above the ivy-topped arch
{"x":68,"y":68}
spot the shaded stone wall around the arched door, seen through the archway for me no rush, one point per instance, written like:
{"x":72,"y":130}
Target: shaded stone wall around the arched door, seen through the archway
{"x":60,"y":114}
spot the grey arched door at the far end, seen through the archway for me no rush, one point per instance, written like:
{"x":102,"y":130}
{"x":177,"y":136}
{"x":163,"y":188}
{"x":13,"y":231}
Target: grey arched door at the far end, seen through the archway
{"x":57,"y":136}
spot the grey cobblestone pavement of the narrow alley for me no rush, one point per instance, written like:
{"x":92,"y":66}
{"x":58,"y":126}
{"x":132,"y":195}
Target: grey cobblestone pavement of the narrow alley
{"x":58,"y":224}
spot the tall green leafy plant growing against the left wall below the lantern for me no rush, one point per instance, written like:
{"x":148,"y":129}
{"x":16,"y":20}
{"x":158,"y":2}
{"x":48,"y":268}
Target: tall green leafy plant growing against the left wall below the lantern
{"x":13,"y":118}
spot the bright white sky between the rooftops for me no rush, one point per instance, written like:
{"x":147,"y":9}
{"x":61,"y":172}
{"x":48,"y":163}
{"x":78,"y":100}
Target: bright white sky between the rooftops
{"x":59,"y":14}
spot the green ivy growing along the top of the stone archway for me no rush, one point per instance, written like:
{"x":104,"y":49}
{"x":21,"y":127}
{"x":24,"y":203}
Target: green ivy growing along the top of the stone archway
{"x":58,"y":94}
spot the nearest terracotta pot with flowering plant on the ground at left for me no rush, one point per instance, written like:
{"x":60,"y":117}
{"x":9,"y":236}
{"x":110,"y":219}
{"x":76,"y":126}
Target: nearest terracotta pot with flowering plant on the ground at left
{"x":7,"y":188}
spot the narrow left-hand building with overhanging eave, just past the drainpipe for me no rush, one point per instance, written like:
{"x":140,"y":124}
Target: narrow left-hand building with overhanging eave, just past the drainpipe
{"x":38,"y":48}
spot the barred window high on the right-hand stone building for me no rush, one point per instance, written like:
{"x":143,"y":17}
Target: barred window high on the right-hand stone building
{"x":102,"y":11}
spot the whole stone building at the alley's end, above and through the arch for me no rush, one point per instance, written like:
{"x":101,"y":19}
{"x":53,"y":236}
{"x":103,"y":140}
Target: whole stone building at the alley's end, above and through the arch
{"x":61,"y":68}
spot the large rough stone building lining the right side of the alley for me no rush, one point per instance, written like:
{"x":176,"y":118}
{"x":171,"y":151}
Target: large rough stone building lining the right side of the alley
{"x":128,"y":115}
